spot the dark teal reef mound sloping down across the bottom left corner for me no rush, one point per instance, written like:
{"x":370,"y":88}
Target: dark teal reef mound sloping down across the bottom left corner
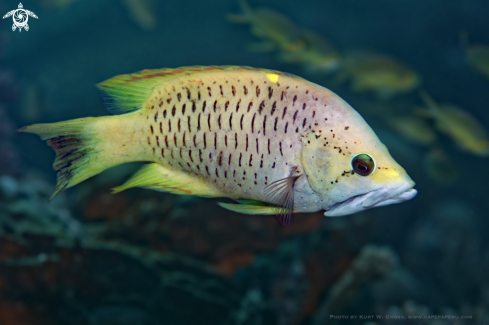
{"x":120,"y":285}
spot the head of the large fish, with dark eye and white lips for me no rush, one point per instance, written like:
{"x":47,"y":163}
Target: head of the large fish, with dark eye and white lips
{"x":348,"y":167}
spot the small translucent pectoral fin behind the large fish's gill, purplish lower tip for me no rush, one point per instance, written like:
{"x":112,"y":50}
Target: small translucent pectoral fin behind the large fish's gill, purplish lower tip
{"x":281,"y":194}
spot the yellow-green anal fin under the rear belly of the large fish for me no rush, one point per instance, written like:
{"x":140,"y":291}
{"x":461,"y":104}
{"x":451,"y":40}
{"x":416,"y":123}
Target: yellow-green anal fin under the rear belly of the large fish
{"x":159,"y":178}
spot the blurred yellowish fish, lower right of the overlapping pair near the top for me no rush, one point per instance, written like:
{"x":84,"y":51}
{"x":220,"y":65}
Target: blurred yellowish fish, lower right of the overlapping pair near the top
{"x":318,"y":55}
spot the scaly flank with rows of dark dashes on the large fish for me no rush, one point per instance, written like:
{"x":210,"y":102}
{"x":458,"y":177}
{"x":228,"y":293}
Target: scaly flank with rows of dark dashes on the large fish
{"x":266,"y":118}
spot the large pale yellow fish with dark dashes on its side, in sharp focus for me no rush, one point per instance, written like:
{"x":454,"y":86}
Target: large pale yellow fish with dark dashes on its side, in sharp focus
{"x":273,"y":142}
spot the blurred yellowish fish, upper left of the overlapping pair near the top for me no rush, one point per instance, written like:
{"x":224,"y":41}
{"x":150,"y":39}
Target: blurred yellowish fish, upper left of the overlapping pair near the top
{"x":274,"y":28}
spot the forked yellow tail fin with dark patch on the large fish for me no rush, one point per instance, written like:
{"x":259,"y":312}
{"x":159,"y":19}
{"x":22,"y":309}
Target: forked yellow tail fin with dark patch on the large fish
{"x":78,"y":150}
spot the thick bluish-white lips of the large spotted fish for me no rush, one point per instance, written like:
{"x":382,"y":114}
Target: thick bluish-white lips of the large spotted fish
{"x":373,"y":199}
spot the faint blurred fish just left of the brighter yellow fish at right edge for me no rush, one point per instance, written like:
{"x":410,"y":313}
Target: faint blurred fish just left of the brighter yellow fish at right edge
{"x":413,"y":129}
